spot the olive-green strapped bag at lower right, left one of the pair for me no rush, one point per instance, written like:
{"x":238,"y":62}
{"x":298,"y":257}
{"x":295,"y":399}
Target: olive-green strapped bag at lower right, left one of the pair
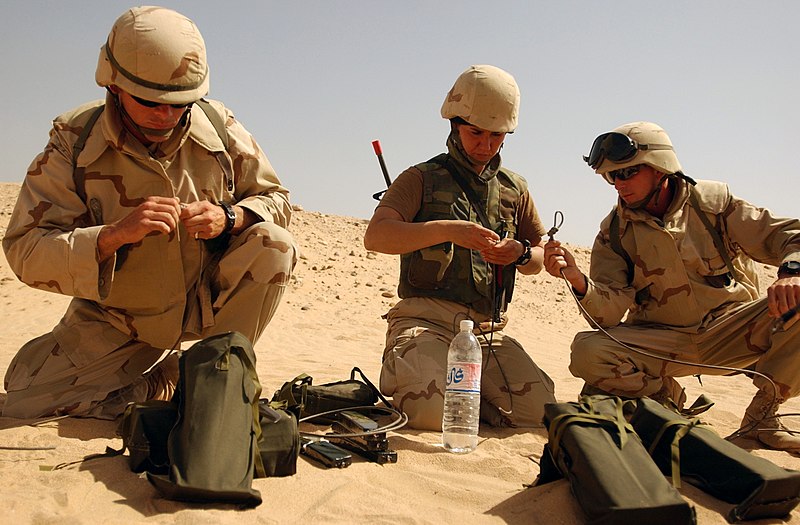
{"x":610,"y":472}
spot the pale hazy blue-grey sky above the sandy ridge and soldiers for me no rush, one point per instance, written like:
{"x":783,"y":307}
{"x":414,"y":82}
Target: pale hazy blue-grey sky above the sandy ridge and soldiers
{"x":317,"y":81}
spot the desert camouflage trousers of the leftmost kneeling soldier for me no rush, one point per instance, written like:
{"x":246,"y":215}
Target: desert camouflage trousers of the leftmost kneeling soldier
{"x":93,"y":369}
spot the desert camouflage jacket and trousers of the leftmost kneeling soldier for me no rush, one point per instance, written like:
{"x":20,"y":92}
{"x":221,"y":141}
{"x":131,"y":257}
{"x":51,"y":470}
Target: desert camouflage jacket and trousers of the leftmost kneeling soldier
{"x":154,"y":294}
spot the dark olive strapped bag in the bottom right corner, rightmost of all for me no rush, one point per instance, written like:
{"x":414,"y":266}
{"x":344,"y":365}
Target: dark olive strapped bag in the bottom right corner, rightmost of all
{"x":687,"y":449}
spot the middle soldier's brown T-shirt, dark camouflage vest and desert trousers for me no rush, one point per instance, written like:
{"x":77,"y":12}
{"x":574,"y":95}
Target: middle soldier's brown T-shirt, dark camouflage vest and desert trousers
{"x":438,"y":296}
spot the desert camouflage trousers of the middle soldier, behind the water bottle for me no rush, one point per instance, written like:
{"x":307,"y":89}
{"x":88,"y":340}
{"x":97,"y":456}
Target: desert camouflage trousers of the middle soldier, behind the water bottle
{"x":513,"y":389}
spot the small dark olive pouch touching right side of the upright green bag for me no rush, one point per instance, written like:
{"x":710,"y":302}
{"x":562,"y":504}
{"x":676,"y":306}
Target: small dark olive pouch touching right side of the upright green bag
{"x":279,"y":444}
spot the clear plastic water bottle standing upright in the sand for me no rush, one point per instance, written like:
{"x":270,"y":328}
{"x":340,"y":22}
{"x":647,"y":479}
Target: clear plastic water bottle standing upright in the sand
{"x":462,"y":398}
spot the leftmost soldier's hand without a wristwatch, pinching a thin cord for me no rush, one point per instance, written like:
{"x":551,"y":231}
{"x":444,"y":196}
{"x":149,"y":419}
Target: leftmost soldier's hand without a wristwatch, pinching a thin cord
{"x":155,"y":215}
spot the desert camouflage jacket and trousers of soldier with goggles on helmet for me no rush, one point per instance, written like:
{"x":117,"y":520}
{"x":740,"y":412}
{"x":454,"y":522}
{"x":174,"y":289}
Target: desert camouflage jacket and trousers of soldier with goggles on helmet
{"x":691,"y":310}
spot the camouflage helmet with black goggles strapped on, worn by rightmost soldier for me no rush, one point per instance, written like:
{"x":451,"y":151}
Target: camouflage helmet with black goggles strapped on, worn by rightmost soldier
{"x":648,"y":144}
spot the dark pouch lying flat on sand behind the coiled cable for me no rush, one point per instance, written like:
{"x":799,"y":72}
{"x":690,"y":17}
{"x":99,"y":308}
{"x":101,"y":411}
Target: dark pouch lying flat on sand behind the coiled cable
{"x":316,"y":399}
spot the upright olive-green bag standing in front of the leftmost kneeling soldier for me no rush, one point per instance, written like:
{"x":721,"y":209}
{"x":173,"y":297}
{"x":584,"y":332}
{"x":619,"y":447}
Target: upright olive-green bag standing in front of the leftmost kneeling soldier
{"x":213,"y":446}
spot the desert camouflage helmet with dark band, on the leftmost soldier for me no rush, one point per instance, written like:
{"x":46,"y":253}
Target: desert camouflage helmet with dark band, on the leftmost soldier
{"x":156,"y":54}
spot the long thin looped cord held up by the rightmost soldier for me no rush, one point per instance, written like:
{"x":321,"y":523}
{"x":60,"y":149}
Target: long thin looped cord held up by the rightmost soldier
{"x":744,"y":430}
